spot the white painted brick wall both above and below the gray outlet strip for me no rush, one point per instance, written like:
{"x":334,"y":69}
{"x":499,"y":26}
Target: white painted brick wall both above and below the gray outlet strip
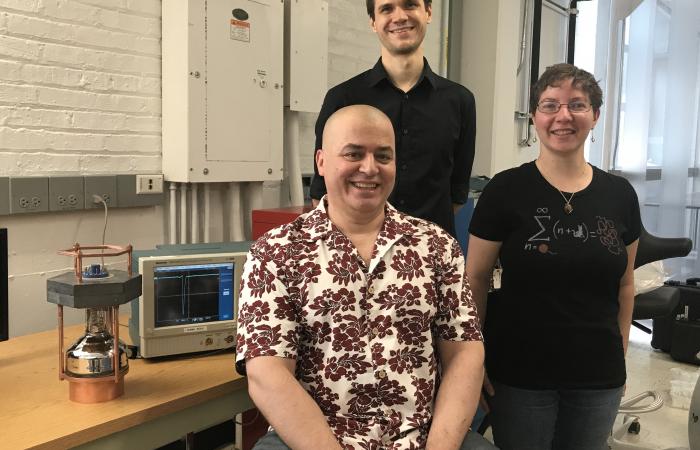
{"x":79,"y":94}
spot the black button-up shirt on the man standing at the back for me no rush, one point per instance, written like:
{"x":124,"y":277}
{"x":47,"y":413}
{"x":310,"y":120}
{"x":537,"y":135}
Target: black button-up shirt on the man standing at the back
{"x":435,"y":129}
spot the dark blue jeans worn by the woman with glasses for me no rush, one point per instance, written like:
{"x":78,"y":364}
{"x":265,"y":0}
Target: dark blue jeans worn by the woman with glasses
{"x":568,"y":419}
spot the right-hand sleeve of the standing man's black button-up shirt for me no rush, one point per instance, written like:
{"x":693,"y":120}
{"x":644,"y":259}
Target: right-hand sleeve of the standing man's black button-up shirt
{"x":464,"y":151}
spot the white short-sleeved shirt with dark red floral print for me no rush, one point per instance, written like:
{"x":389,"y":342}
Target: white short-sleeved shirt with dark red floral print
{"x":363,"y":336}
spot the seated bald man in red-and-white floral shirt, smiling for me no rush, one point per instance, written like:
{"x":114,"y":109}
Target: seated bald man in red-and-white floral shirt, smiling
{"x":356,"y":324}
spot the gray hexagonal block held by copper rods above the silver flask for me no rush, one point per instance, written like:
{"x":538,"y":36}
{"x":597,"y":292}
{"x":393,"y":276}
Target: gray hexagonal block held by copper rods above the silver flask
{"x":117,"y":289}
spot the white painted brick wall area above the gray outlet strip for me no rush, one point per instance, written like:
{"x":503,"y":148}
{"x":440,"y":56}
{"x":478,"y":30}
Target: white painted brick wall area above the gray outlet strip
{"x":79,"y":86}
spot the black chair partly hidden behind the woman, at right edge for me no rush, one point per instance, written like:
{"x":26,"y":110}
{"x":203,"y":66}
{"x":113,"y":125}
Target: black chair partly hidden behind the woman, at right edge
{"x":661,"y":301}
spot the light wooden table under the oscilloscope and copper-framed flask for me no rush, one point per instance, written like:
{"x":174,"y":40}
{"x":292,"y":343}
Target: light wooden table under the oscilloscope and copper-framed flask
{"x":163,"y":399}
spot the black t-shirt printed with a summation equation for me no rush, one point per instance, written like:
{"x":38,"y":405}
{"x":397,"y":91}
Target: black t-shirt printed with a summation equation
{"x":553,"y":324}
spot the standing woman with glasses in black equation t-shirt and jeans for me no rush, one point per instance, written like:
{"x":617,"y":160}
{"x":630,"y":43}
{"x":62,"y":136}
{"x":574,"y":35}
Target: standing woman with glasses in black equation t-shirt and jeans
{"x":565,"y":233}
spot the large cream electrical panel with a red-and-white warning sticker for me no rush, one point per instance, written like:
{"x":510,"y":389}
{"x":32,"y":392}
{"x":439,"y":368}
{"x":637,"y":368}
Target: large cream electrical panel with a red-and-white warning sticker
{"x":222,"y":90}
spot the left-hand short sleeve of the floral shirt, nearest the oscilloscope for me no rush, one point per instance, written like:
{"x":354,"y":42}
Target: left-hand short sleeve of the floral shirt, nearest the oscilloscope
{"x":267,"y":319}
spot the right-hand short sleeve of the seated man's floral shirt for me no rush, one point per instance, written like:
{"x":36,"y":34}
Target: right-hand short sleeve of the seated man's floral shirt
{"x":456,"y":319}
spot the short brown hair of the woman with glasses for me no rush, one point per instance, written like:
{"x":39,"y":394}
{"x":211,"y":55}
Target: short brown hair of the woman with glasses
{"x":554,"y":75}
